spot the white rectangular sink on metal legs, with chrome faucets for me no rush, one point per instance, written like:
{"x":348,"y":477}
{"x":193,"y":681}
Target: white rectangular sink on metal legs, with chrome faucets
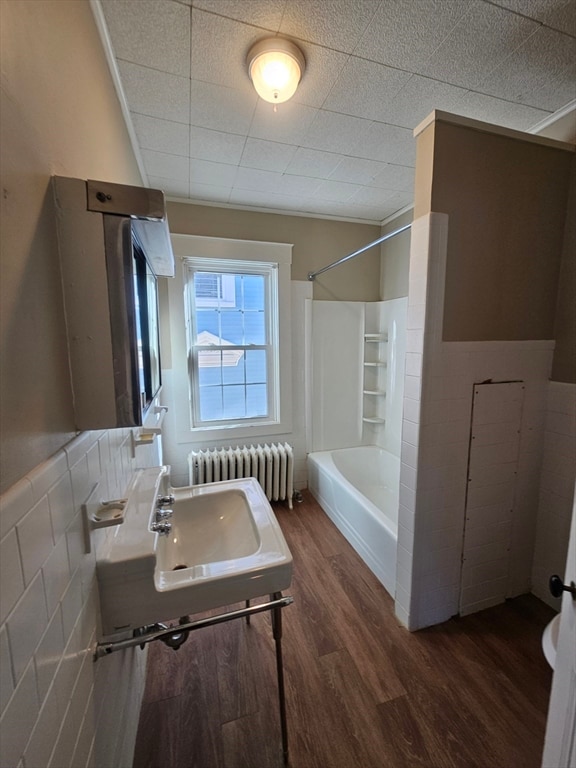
{"x":225,"y":546}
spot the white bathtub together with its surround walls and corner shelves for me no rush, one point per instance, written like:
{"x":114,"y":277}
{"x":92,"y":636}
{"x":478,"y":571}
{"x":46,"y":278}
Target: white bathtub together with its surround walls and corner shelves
{"x":357,"y":372}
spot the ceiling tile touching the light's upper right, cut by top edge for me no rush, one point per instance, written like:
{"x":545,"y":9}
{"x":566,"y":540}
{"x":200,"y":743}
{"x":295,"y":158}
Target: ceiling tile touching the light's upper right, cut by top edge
{"x":335,"y":24}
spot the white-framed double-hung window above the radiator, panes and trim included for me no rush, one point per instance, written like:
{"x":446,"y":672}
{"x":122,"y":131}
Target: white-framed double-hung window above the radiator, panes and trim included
{"x":228,"y":352}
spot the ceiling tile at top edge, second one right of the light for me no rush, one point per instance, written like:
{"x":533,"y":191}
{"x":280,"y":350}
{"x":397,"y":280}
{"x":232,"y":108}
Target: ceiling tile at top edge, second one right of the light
{"x":405,"y":34}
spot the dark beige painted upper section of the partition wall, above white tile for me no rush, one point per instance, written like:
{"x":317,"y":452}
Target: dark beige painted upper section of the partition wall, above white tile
{"x":506,"y":199}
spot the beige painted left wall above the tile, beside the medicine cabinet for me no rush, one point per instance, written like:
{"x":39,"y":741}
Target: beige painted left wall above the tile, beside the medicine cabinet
{"x":59,"y":115}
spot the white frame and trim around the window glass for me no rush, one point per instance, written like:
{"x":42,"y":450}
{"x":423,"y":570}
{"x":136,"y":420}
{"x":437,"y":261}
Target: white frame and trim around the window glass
{"x":239,"y":251}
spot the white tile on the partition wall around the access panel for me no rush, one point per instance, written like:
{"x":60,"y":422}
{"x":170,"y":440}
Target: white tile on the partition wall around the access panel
{"x":435,"y":434}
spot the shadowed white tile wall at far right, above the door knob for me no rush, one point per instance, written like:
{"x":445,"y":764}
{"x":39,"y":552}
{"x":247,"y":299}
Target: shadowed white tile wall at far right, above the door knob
{"x":556,"y":489}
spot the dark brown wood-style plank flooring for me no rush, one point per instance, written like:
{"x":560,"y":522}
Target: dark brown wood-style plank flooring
{"x":361,"y":691}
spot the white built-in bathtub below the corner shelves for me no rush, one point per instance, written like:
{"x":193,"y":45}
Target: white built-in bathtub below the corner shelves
{"x":358,"y":489}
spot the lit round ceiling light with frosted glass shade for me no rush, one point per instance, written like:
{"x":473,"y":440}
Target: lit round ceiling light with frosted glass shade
{"x":275,"y":66}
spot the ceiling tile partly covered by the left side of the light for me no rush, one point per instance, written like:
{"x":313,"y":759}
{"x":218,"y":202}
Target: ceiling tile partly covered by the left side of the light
{"x":219,"y":48}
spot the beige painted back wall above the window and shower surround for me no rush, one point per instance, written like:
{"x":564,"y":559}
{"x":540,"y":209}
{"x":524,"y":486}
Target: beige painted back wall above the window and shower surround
{"x":317,"y":242}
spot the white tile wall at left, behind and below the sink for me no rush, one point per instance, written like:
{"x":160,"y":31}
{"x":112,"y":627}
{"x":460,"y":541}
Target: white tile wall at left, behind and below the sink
{"x":58,"y":707}
